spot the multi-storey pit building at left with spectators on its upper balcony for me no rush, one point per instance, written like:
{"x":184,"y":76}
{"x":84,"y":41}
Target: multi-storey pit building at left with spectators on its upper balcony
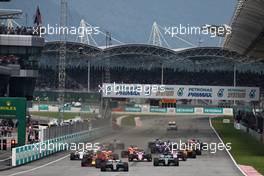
{"x":19,"y":53}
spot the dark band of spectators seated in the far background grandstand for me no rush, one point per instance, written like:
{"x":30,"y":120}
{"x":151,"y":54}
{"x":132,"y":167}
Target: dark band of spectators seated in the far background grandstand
{"x":76,"y":77}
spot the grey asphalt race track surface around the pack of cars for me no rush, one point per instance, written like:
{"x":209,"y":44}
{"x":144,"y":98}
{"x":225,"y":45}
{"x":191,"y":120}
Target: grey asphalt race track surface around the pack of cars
{"x":208,"y":164}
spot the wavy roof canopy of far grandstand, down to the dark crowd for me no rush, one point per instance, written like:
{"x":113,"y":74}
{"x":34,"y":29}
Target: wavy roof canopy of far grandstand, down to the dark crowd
{"x":150,"y":56}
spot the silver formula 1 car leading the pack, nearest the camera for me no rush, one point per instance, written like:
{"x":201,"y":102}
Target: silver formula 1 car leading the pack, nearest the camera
{"x":114,"y":165}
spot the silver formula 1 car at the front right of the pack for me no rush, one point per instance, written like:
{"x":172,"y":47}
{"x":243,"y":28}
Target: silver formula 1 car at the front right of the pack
{"x":166,"y":160}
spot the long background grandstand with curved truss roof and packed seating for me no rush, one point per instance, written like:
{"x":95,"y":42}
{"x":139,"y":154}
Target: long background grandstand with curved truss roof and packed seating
{"x":147,"y":64}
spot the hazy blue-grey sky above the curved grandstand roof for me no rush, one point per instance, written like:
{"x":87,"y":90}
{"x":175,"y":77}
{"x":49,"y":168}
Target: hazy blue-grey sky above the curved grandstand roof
{"x":130,"y":21}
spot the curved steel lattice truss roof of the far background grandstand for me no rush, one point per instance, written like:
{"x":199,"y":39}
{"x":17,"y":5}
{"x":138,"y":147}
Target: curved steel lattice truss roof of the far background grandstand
{"x":150,"y":53}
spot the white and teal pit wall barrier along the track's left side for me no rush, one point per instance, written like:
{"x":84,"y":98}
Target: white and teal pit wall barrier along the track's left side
{"x":31,"y":152}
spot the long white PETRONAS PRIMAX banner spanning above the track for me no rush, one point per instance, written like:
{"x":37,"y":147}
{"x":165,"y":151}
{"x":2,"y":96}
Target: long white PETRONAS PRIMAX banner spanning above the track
{"x":115,"y":90}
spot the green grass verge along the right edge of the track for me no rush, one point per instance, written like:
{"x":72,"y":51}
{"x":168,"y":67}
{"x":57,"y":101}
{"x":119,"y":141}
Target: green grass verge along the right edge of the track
{"x":246,"y":150}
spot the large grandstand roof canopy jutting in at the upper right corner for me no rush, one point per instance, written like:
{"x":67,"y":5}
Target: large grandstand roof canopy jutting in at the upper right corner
{"x":247,"y":24}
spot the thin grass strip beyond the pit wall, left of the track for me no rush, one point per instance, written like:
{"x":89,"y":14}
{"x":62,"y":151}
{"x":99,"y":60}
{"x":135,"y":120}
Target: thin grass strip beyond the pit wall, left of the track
{"x":67,"y":115}
